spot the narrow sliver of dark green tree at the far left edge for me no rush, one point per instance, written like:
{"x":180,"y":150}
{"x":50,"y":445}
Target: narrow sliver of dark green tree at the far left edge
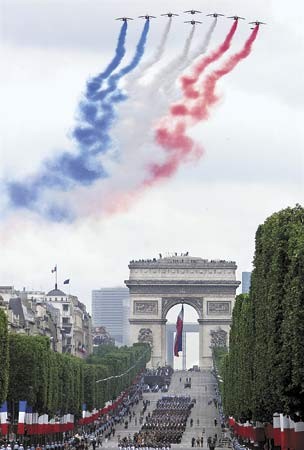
{"x":4,"y":359}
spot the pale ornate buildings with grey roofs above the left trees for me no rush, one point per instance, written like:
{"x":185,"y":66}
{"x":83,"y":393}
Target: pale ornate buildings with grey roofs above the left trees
{"x":61,"y":317}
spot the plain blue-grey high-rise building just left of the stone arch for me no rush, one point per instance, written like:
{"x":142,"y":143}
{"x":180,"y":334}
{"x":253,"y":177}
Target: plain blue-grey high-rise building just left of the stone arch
{"x":109,"y":310}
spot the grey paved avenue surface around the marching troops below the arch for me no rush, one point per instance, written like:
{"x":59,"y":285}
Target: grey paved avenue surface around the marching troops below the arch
{"x":203,"y":414}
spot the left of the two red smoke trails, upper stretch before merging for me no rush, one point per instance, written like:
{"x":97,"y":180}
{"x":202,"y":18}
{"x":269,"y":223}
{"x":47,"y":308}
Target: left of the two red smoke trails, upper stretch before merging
{"x":188,"y":82}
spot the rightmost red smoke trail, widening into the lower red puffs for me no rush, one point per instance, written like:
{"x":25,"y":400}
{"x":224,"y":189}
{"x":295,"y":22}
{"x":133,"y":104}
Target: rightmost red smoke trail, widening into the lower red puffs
{"x":173,"y":138}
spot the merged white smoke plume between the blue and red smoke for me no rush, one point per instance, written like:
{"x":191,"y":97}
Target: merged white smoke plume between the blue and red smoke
{"x":134,"y":134}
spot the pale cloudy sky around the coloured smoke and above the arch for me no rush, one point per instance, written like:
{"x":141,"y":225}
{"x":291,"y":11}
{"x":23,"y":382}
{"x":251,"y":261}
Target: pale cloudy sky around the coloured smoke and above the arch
{"x":252,"y":164}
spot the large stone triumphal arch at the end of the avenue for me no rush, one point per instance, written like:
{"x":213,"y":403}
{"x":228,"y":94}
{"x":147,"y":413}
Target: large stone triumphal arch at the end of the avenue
{"x":157,"y":285}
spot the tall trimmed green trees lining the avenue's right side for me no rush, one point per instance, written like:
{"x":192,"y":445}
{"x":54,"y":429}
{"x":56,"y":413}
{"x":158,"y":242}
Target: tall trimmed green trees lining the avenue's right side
{"x":264,"y":370}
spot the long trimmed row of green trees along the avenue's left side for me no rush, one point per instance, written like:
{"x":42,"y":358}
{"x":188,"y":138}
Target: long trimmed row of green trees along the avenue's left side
{"x":58,"y":383}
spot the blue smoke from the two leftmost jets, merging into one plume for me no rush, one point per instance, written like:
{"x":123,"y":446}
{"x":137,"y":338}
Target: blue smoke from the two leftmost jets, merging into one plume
{"x":69,"y":170}
